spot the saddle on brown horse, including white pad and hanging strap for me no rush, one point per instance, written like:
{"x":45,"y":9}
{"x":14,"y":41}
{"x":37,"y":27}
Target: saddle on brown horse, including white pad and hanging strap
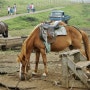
{"x":51,"y":29}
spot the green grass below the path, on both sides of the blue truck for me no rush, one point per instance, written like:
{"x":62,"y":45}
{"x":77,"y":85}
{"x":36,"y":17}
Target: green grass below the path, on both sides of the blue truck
{"x":23,"y":25}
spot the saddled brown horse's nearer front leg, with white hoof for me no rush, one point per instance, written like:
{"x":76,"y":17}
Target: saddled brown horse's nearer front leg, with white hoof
{"x":43,"y":53}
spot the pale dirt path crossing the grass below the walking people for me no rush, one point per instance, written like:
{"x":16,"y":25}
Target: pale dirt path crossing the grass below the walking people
{"x":17,"y":15}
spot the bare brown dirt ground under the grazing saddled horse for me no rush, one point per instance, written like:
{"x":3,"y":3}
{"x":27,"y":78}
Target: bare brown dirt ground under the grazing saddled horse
{"x":9,"y":73}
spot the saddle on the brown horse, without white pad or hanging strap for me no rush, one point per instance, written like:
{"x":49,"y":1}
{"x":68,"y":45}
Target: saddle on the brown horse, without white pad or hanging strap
{"x":50,"y":29}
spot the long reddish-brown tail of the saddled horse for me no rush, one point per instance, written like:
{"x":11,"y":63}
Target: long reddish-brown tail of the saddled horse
{"x":86,"y":44}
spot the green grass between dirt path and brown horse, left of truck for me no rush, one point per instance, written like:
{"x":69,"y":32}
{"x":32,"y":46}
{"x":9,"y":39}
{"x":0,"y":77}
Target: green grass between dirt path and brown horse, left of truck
{"x":23,"y":25}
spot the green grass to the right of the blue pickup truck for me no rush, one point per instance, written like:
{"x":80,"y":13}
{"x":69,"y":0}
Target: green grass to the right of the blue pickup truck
{"x":80,"y":15}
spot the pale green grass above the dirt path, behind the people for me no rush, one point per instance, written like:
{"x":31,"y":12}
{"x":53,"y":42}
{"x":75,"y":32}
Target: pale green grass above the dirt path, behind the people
{"x":22,"y":5}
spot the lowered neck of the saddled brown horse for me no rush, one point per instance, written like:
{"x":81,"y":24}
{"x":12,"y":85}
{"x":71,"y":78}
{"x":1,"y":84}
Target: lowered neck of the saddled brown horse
{"x":28,"y":45}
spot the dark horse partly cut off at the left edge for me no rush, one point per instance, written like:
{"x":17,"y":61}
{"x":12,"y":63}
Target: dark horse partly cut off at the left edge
{"x":4,"y":29}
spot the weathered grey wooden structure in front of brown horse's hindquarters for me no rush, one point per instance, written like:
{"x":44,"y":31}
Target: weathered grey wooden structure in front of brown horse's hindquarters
{"x":76,"y":68}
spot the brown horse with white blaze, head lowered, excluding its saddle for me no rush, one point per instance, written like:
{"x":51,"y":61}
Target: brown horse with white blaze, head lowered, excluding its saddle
{"x":73,"y":40}
